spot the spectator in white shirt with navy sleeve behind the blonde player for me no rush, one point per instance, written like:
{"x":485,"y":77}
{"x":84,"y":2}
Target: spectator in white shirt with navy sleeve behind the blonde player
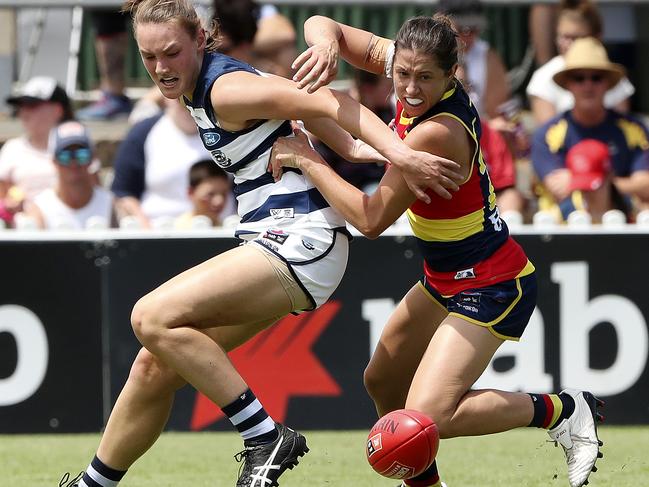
{"x":151,"y":167}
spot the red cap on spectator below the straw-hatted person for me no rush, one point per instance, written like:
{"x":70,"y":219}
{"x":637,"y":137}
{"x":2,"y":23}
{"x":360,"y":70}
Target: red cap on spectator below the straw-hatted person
{"x":589,"y":163}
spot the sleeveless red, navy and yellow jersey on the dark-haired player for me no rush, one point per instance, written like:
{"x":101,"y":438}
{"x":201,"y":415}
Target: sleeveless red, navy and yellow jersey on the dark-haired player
{"x":464,"y":242}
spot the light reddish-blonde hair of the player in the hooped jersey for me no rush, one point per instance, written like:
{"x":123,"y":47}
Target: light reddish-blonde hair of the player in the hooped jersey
{"x":162,"y":11}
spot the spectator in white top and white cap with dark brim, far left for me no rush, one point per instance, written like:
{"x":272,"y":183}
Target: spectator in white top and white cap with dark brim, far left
{"x":26,"y":166}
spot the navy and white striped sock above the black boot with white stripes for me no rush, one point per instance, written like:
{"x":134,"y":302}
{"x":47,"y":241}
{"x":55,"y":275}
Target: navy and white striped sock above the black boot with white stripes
{"x":251,"y":419}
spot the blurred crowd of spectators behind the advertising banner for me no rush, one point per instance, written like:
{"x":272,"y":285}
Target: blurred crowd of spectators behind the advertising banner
{"x":580,"y":149}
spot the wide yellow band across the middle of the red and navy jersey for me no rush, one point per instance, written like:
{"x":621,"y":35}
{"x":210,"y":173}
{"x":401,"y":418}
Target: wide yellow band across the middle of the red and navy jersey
{"x":446,"y":230}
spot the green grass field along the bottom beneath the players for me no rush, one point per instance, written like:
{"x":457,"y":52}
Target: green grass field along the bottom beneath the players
{"x":518,"y":458}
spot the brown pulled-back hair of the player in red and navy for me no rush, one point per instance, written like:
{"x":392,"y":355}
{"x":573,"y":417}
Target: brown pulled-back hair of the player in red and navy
{"x":434,"y":36}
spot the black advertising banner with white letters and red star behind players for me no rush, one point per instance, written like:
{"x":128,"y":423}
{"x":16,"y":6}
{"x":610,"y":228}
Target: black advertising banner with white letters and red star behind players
{"x":66,"y":344}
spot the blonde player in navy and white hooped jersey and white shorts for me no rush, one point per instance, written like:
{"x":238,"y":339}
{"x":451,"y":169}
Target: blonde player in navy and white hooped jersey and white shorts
{"x":187,"y":325}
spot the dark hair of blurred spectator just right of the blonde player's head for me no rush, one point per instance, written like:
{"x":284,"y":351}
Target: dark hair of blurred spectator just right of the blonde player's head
{"x":237,"y":19}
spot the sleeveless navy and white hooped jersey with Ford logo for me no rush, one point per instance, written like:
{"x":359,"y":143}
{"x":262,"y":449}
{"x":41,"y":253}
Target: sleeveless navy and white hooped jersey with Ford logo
{"x":292,"y":201}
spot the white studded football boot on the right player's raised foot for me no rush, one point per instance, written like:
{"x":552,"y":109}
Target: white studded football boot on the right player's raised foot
{"x":577,"y":435}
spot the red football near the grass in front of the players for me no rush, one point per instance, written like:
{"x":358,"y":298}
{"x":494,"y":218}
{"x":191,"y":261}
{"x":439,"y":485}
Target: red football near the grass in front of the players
{"x":402,"y":444}
